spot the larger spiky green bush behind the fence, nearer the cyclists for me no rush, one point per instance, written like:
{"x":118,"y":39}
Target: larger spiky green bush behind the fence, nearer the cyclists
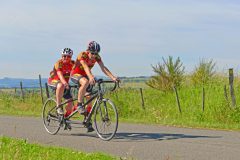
{"x":167,"y":74}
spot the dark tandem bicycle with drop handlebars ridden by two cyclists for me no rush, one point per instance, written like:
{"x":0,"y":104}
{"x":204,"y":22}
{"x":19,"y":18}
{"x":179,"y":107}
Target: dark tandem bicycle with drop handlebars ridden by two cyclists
{"x":103,"y":111}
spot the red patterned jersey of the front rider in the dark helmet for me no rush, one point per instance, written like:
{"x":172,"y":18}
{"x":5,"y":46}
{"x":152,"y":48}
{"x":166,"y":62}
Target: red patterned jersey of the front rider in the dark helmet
{"x":78,"y":68}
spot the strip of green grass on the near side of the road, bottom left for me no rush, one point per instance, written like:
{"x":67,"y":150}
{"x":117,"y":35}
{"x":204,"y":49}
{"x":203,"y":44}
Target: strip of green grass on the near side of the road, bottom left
{"x":20,"y":149}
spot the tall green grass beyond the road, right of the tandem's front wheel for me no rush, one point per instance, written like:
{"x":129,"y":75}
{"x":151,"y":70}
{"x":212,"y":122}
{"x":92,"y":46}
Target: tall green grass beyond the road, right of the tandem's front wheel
{"x":161,"y":107}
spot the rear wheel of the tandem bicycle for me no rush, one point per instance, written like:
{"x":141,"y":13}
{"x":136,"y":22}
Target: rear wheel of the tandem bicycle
{"x":51,"y":120}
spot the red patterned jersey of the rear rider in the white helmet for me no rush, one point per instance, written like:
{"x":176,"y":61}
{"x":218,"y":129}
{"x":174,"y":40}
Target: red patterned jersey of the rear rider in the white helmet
{"x":65,"y":68}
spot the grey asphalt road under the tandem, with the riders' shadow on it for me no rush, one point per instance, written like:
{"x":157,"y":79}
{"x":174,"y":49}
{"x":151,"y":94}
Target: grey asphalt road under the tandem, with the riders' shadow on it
{"x":142,"y":142}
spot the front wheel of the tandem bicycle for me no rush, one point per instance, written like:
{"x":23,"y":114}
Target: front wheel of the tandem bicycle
{"x":106,"y":120}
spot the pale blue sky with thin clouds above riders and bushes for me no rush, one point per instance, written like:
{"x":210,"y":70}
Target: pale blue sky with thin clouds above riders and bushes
{"x":133,"y":34}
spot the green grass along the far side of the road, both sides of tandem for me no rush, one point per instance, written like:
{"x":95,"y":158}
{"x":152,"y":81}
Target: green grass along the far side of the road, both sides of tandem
{"x":159,"y":107}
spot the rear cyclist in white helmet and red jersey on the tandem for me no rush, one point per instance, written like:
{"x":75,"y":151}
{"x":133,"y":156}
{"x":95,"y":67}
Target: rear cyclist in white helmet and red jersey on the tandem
{"x":59,"y":78}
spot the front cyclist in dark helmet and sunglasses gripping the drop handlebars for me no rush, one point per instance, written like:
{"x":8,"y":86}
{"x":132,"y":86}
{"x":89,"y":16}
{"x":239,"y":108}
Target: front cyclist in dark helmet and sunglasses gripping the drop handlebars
{"x":82,"y":75}
